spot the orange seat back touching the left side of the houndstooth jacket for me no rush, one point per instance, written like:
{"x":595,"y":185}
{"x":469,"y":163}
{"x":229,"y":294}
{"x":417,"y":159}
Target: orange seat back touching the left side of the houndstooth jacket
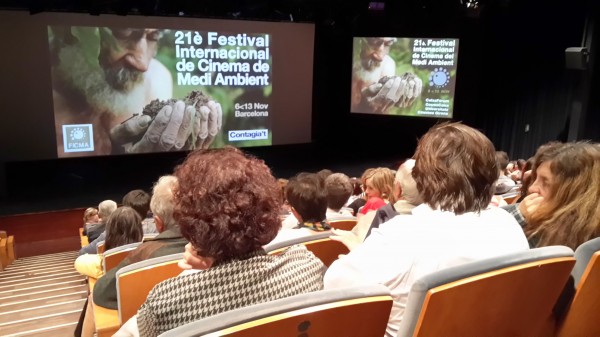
{"x":135,"y":281}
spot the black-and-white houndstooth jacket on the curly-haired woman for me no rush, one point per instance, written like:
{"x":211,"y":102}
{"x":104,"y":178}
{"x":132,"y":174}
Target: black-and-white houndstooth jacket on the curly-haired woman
{"x":255,"y":279}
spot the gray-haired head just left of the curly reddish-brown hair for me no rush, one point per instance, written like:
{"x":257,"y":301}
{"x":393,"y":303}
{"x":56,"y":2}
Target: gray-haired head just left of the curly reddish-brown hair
{"x":162,"y":203}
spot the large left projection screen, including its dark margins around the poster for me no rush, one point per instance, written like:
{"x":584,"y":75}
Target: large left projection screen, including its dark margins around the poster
{"x":102,"y":85}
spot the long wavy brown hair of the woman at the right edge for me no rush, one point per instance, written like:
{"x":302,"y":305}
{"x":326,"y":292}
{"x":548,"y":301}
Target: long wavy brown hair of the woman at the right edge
{"x":570,"y":214}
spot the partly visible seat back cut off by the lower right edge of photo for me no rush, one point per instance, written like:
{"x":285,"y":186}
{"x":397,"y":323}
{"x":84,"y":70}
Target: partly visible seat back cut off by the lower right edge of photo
{"x":581,"y":318}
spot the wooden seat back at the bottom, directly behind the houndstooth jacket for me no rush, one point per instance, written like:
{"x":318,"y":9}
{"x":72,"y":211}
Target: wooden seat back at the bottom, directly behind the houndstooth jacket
{"x":357,"y":311}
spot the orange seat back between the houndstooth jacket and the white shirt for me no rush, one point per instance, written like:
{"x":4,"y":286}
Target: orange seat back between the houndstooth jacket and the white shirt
{"x":319,"y":244}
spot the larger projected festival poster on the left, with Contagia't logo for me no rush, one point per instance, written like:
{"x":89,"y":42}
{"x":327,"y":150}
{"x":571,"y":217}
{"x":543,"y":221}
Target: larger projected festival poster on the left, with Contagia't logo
{"x":135,"y":90}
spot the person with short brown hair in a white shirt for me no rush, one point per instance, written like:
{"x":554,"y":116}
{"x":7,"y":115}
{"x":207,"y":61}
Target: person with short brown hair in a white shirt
{"x":453,"y":226}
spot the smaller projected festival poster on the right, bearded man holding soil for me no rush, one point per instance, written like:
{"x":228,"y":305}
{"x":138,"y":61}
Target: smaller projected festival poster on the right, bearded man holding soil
{"x":404,"y":76}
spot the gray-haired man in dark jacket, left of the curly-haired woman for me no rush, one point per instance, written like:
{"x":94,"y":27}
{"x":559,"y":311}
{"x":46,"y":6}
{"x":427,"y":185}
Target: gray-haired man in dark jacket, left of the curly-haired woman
{"x":169,"y":241}
